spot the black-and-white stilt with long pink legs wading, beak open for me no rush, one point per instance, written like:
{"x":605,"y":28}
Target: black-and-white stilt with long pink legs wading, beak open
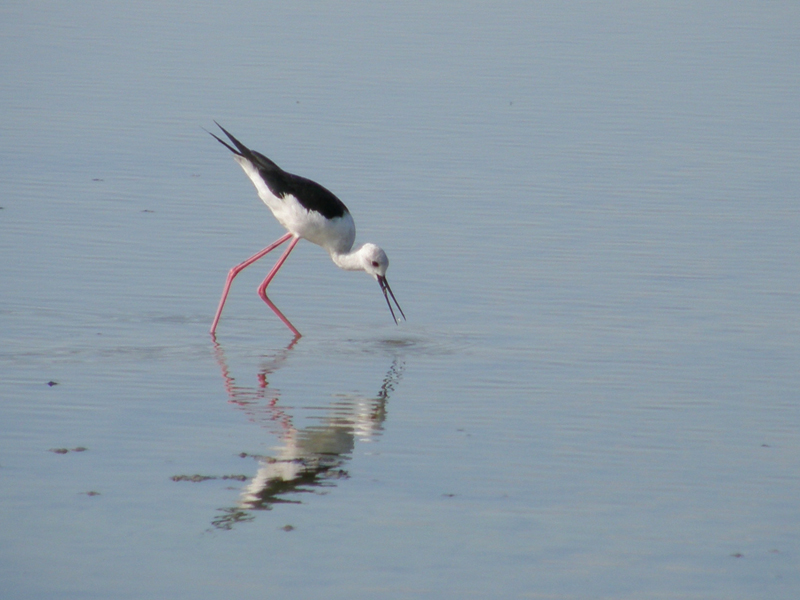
{"x":307,"y":211}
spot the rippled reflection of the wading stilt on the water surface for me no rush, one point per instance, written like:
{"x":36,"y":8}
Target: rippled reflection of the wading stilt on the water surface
{"x":309,"y":457}
